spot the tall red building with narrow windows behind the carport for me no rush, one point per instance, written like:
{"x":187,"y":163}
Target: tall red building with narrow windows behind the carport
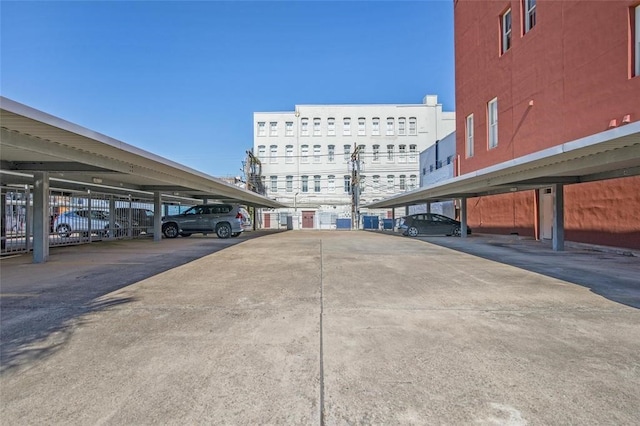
{"x":533,"y":75}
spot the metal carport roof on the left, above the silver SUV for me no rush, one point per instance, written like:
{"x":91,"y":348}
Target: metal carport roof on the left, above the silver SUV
{"x":77,"y":158}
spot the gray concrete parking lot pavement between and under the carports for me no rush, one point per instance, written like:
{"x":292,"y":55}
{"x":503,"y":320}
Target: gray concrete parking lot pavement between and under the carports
{"x":321,"y":328}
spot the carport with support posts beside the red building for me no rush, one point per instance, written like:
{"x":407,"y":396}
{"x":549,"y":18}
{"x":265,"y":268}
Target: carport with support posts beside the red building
{"x":614,"y":153}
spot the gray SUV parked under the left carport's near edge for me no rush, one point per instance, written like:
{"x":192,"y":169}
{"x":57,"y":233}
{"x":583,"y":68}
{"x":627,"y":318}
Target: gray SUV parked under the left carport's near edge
{"x":223,"y":219}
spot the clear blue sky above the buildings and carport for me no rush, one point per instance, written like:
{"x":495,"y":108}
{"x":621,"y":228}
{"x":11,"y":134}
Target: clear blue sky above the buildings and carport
{"x":182,"y":79}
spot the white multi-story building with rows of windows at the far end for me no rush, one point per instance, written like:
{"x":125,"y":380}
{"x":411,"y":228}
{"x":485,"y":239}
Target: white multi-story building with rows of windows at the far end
{"x":306,"y":155}
